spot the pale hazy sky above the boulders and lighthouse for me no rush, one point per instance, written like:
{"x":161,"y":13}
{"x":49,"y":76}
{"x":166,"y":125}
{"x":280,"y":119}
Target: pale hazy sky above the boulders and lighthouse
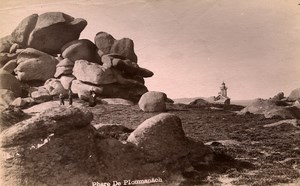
{"x":192,"y":46}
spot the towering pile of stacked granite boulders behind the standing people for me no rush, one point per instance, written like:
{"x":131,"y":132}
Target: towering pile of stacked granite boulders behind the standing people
{"x":107,"y":66}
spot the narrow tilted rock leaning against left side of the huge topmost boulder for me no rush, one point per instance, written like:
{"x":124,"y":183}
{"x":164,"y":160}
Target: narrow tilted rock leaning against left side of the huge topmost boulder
{"x":21,"y":33}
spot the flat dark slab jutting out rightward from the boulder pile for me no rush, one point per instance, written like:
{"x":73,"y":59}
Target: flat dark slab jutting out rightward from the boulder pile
{"x":124,"y":65}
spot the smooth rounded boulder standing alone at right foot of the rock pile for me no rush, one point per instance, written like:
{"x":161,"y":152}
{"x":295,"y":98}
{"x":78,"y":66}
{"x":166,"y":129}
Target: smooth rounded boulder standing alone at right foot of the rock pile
{"x":153,"y":102}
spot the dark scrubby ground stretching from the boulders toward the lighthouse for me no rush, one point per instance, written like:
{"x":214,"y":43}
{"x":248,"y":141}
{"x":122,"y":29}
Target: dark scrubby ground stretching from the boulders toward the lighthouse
{"x":250,"y":149}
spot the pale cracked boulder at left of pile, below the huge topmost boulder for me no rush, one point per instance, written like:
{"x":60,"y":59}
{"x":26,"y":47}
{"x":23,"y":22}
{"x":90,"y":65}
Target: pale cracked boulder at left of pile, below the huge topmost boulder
{"x":35,"y":65}
